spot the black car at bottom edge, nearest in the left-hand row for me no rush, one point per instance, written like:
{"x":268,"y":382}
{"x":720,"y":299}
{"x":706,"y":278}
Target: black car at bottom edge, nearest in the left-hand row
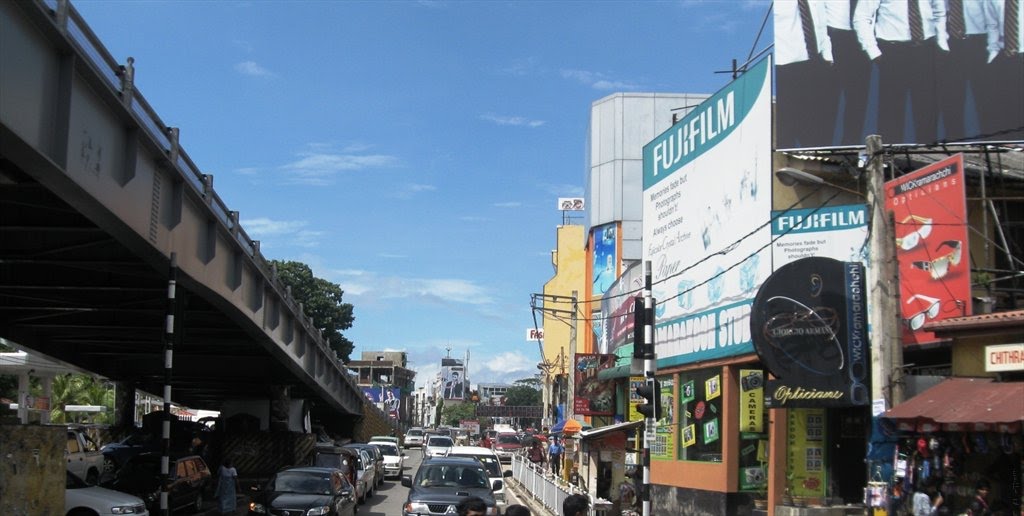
{"x":306,"y":491}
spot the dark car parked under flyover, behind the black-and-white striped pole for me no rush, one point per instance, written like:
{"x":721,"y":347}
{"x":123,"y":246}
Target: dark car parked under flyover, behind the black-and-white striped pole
{"x":191,"y":481}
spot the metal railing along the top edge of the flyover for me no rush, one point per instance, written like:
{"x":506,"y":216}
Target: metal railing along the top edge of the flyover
{"x":120,"y":81}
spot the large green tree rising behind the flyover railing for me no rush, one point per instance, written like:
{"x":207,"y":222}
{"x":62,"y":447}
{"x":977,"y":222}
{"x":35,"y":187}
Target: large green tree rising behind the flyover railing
{"x":322,"y":300}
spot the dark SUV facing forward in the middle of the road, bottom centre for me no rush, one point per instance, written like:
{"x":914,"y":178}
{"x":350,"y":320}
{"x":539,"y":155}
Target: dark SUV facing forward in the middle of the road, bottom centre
{"x":442,"y":483}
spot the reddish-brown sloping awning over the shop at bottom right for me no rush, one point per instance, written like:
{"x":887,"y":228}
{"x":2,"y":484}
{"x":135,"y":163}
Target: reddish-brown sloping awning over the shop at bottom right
{"x":963,"y":405}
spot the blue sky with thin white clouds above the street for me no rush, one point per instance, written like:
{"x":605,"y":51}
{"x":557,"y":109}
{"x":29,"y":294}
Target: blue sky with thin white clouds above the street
{"x":413,"y":153}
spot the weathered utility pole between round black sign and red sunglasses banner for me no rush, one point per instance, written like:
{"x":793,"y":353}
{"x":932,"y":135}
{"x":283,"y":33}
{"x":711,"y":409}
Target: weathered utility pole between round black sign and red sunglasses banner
{"x":887,"y":342}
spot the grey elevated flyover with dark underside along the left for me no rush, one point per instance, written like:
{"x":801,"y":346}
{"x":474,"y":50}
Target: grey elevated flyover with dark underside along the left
{"x":96,"y":198}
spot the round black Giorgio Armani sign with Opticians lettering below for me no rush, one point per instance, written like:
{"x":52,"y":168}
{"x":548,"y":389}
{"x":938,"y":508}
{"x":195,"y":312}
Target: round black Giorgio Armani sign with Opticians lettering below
{"x":809,"y":327}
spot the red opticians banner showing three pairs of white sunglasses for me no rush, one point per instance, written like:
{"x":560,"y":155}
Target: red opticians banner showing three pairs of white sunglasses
{"x":930,"y":209}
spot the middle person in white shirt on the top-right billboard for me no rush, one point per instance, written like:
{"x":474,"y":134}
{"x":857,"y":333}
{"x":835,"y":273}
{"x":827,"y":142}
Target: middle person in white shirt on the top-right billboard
{"x":903,"y":37}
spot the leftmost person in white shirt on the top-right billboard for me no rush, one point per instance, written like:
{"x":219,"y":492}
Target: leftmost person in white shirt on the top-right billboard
{"x":803,"y":55}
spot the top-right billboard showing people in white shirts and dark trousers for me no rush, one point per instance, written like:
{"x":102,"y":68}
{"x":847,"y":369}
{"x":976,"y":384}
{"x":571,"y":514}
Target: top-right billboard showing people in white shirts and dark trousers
{"x":843,"y":74}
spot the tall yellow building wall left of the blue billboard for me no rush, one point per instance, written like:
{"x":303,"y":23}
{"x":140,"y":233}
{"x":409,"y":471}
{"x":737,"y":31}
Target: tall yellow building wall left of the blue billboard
{"x":570,"y":263}
